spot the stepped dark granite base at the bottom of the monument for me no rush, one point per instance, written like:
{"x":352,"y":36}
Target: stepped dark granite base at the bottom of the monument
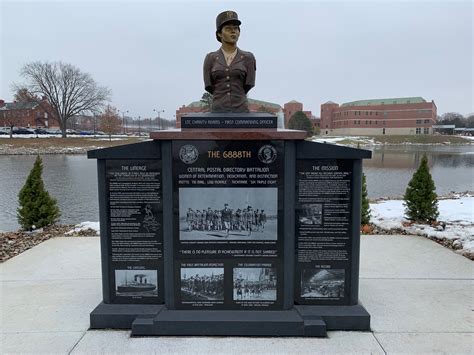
{"x":156,"y":320}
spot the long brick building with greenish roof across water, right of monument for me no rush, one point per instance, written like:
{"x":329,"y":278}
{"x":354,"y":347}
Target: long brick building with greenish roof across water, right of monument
{"x":397,"y":116}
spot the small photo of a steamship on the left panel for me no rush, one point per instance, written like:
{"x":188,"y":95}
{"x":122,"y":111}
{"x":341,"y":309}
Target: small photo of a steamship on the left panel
{"x":136,"y":283}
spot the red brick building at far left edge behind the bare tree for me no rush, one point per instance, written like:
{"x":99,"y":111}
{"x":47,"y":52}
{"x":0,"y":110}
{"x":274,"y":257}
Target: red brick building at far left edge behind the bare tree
{"x":26,"y":114}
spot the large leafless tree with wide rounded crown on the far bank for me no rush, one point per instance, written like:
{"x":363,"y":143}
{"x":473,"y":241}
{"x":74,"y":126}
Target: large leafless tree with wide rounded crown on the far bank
{"x":69,"y":91}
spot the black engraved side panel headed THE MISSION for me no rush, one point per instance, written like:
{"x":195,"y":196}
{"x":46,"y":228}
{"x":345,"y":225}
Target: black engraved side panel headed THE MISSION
{"x":323,"y":231}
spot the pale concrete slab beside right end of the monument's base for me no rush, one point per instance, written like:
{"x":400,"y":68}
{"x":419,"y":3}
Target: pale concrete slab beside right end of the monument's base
{"x":418,"y":305}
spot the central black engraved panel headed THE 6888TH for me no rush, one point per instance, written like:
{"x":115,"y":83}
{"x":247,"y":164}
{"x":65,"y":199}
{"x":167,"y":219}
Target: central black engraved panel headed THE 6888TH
{"x":228,"y":223}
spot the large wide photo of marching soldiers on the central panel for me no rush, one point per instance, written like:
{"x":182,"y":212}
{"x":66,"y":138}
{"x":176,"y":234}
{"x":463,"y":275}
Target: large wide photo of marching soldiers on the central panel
{"x":228,"y":213}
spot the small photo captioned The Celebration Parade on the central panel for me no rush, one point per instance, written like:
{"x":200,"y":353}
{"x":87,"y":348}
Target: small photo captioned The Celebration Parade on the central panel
{"x":255,"y":284}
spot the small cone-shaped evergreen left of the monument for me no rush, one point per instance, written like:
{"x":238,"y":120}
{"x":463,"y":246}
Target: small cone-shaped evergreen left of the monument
{"x":37,"y":208}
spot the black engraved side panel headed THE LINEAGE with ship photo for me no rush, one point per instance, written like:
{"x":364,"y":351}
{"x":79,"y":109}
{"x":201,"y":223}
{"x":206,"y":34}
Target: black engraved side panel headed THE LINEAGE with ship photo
{"x":134,"y":232}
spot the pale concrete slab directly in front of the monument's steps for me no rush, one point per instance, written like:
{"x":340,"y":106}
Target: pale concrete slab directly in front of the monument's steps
{"x":120,"y":342}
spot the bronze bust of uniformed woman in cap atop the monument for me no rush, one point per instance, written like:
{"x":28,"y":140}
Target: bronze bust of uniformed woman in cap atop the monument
{"x":229,"y":72}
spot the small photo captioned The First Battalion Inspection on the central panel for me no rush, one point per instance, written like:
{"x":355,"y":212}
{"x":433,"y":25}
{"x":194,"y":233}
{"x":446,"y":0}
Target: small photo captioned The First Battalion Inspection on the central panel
{"x":202,"y":284}
